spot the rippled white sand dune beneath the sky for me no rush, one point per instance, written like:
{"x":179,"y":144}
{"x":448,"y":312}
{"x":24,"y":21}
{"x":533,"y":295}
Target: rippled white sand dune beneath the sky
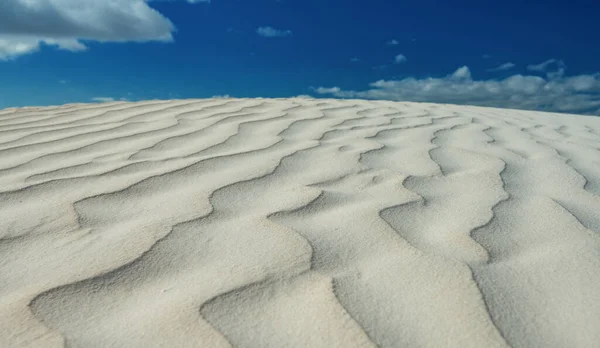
{"x":298,"y":223}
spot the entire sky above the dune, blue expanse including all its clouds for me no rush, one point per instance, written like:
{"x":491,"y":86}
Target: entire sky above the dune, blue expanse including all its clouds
{"x":497,"y":53}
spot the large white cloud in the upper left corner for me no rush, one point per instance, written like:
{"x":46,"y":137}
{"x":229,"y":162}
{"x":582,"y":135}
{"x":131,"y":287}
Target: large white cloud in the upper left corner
{"x":25,"y":25}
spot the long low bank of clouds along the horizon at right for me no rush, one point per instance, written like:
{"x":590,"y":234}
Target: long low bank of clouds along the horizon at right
{"x":575,"y":94}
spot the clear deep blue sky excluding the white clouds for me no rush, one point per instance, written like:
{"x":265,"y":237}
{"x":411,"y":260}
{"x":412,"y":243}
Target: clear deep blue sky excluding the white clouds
{"x":217,"y":51}
